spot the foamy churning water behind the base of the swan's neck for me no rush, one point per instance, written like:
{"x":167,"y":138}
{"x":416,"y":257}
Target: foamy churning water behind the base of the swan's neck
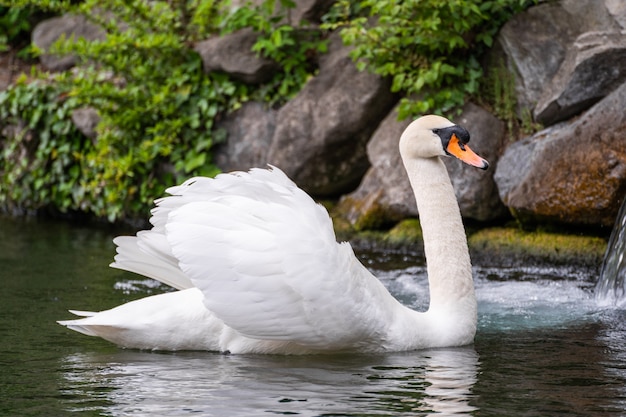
{"x":510,"y":299}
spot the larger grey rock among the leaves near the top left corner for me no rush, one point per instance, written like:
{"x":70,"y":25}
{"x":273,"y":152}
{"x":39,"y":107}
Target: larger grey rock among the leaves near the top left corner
{"x":49,"y":31}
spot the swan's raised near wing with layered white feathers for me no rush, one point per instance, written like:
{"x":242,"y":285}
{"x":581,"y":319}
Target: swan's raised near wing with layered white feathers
{"x":265,"y":257}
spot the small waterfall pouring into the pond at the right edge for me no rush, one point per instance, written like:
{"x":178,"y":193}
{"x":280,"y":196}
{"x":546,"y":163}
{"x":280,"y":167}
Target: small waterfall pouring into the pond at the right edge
{"x":611,"y":287}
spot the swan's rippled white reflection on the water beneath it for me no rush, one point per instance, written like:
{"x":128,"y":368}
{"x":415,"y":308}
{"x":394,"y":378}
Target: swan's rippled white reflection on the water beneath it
{"x":436,"y":381}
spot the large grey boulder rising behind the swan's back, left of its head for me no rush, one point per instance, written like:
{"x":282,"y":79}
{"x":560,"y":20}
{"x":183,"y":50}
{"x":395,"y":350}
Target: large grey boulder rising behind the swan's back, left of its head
{"x":321,"y":134}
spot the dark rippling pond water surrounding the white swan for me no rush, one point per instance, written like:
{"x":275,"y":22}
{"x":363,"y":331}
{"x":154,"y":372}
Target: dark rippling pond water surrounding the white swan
{"x":543,"y":347}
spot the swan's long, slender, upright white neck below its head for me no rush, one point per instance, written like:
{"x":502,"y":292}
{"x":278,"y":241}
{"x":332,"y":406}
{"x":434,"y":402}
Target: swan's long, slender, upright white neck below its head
{"x":445,"y":244}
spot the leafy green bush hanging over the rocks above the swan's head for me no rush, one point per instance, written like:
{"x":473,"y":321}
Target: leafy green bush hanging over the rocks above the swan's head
{"x":429,"y":48}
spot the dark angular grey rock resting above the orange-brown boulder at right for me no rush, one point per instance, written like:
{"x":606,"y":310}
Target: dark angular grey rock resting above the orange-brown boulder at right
{"x":593,"y":67}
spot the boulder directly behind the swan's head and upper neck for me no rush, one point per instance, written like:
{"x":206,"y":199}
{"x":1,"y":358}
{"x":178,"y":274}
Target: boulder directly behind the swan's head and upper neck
{"x":385,"y":194}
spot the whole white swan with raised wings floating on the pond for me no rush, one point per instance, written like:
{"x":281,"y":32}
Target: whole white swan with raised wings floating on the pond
{"x":258,"y":268}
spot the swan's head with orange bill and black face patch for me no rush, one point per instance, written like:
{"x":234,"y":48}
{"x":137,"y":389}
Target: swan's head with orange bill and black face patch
{"x":431,"y":136}
